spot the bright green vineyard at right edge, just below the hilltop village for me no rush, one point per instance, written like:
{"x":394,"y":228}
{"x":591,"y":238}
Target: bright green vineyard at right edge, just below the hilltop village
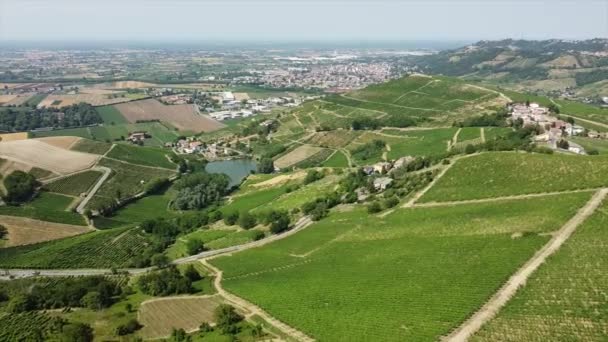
{"x":508,"y":173}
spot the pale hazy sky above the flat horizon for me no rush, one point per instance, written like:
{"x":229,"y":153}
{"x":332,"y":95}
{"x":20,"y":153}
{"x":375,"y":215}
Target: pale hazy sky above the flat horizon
{"x":300,"y":20}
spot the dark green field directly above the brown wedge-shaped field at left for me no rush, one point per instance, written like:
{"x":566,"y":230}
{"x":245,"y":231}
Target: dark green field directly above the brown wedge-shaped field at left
{"x":46,"y":207}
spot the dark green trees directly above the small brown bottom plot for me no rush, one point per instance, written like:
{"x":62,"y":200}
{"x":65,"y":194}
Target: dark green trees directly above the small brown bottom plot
{"x":168,"y":281}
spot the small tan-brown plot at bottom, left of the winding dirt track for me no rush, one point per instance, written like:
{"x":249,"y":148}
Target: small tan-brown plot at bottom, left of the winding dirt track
{"x":160,"y":316}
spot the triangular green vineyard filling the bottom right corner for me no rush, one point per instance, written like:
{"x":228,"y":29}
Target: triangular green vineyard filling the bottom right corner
{"x":565,"y":299}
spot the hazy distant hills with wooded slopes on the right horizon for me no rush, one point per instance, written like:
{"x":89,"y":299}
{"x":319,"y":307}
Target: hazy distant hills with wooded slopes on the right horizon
{"x":577,"y":69}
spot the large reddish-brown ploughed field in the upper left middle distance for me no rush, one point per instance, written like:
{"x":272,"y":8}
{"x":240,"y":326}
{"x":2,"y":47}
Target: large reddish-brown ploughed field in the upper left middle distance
{"x":183,"y":117}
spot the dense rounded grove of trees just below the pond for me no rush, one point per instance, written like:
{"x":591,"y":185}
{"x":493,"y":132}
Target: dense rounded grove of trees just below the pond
{"x":199,"y":190}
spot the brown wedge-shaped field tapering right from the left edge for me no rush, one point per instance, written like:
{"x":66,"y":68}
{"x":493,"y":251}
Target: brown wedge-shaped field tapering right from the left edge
{"x":25,"y":231}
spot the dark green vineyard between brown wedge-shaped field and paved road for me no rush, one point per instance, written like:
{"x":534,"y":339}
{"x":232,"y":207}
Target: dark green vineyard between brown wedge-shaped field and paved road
{"x":100,"y":249}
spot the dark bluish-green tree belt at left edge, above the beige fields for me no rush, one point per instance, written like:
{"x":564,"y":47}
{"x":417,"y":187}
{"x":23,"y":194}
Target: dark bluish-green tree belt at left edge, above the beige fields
{"x":76,"y":115}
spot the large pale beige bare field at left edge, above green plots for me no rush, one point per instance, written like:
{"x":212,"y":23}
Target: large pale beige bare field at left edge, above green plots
{"x":42,"y":155}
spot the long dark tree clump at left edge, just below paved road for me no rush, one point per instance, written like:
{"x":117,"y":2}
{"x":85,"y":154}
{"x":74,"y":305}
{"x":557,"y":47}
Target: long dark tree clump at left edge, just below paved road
{"x":94,"y":293}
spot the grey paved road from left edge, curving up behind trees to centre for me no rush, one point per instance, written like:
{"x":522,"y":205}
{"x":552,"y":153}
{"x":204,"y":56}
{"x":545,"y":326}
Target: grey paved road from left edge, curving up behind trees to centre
{"x":301,"y":224}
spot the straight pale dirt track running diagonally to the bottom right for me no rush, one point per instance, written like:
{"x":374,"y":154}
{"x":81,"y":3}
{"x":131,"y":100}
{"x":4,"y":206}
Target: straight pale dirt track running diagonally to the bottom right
{"x":517,"y":280}
